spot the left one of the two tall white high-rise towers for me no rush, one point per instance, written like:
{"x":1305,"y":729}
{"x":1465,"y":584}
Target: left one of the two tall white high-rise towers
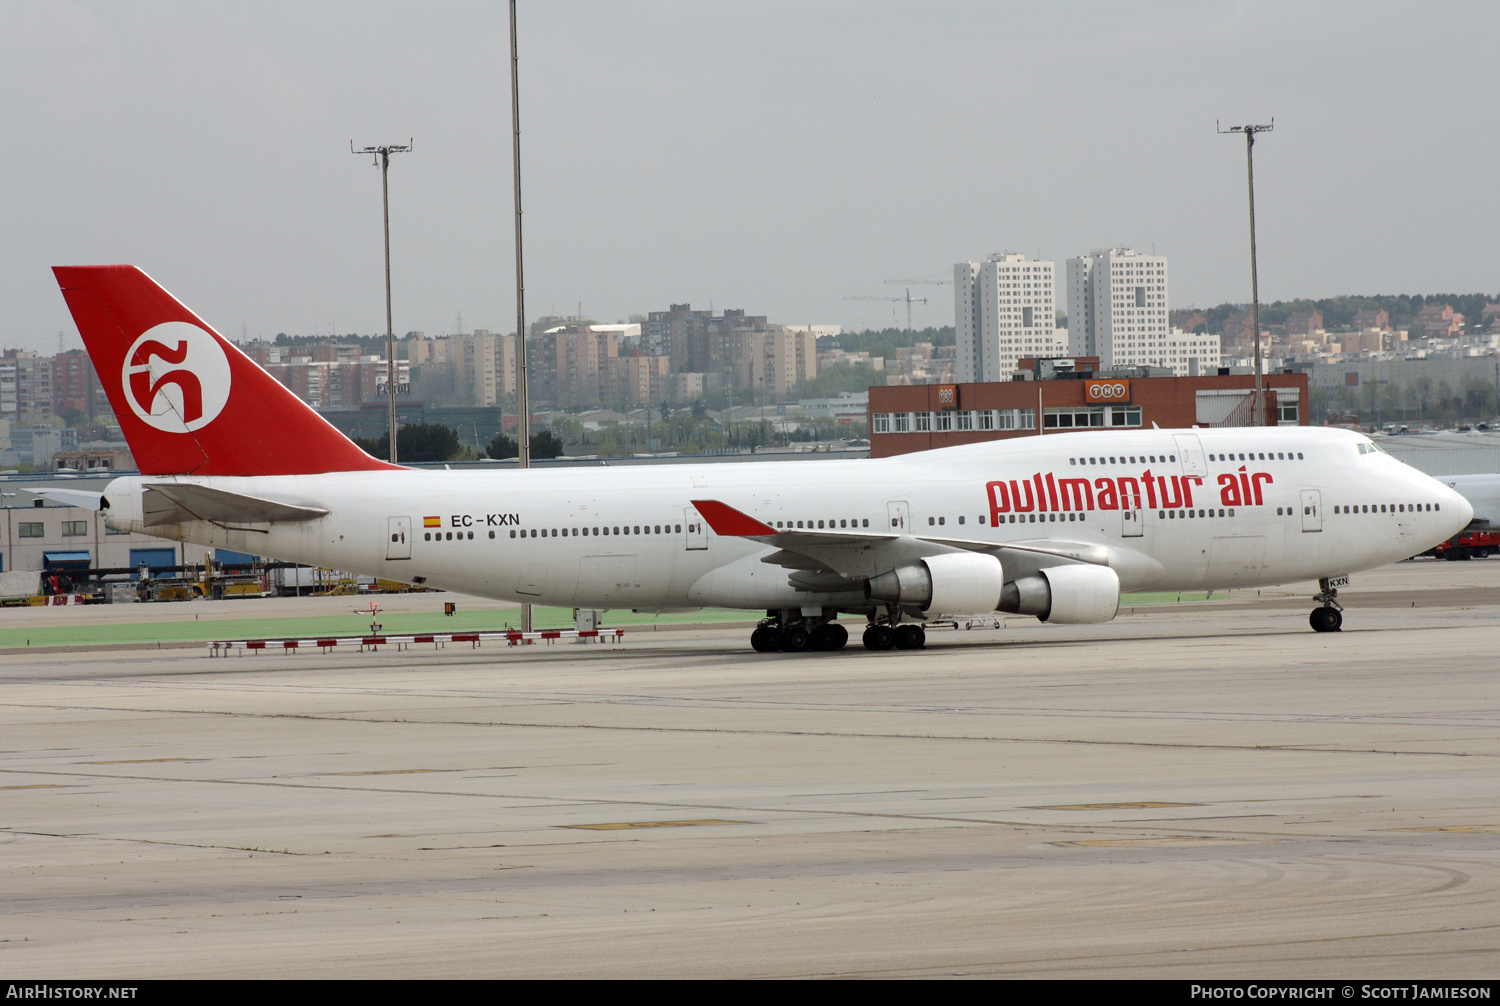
{"x":1006,"y":308}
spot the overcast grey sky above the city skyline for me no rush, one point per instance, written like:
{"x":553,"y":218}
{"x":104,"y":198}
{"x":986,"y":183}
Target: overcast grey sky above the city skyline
{"x":769,"y":155}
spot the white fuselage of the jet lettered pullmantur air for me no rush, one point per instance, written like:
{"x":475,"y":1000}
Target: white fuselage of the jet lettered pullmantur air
{"x":1268,"y":506}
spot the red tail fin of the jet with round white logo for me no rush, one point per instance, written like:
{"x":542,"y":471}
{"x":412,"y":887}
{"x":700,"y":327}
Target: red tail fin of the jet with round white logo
{"x":188,"y":401}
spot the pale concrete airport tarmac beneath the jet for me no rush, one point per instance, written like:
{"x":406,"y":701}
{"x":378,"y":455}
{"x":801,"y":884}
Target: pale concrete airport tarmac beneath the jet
{"x":1193,"y":791}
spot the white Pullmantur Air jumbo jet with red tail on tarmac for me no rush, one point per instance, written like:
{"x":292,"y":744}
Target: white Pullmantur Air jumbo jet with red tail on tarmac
{"x":1054,"y":527}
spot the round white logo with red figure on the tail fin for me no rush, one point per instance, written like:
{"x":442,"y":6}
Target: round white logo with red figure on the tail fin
{"x":176,"y":377}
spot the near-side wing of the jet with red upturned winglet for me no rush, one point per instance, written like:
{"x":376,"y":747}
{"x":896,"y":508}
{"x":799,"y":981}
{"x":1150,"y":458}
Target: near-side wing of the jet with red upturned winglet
{"x":814,"y":555}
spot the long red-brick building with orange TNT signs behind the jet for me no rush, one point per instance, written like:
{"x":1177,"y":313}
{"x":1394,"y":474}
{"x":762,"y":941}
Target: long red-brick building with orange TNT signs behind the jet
{"x":928,"y":416}
